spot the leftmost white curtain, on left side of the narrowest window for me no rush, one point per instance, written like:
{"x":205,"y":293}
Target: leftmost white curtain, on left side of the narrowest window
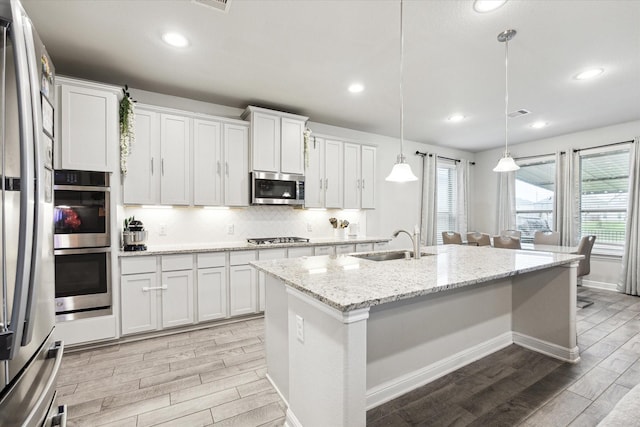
{"x":429,"y":214}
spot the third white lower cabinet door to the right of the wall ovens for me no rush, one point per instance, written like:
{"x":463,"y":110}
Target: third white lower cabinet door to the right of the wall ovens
{"x":212,"y":294}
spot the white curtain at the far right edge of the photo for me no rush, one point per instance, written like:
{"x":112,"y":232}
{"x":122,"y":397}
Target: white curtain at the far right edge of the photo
{"x":631,"y":258}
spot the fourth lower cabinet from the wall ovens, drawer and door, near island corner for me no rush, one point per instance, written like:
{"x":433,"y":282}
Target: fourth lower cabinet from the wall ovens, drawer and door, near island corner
{"x":242,"y":283}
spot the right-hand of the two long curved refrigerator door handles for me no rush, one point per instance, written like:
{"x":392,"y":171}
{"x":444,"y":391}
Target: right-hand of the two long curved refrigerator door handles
{"x":34,"y":79}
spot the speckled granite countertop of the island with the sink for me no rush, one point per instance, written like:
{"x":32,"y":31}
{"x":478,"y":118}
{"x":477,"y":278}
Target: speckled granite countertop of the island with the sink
{"x":347,"y":283}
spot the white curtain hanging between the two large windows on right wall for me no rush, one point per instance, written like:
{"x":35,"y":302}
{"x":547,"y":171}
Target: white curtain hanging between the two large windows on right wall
{"x":567,"y":198}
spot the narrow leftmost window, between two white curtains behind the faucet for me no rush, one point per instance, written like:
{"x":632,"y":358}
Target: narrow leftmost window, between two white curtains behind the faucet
{"x":447,"y":197}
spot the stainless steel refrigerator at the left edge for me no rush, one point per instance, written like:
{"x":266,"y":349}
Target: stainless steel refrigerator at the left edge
{"x":29,"y":357}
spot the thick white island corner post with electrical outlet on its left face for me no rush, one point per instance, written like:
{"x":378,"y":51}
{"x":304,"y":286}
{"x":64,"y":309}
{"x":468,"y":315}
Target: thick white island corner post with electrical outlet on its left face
{"x":327,"y":368}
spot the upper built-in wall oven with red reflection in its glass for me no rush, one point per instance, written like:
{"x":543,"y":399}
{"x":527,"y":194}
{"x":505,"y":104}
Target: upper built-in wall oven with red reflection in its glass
{"x":81,"y":211}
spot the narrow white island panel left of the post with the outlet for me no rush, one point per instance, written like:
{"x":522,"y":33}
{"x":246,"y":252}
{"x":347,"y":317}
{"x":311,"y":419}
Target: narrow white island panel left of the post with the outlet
{"x":276,"y":324}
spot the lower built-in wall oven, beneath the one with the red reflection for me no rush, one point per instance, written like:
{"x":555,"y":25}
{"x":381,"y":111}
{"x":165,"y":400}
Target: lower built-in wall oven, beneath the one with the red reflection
{"x":83,"y":283}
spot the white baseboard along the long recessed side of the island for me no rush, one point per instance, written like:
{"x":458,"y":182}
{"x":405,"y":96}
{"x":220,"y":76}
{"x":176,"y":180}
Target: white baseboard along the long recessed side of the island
{"x":397,"y":387}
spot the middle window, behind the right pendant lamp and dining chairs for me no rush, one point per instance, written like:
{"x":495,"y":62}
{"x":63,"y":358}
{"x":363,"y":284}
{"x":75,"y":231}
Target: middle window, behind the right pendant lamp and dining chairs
{"x":535,"y":190}
